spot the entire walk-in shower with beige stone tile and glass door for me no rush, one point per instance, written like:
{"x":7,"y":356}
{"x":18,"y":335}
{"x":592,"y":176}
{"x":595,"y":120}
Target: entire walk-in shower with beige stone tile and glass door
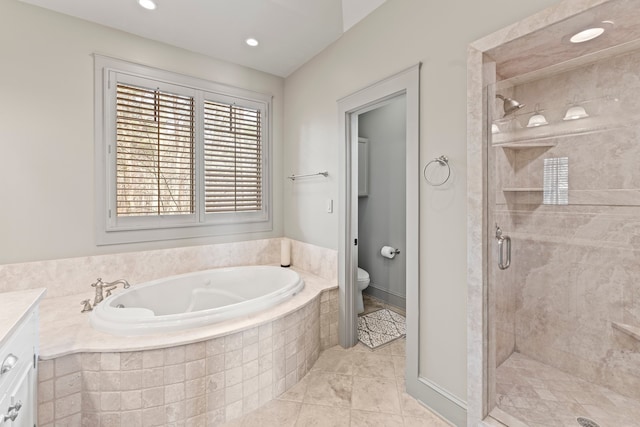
{"x":562,"y":225}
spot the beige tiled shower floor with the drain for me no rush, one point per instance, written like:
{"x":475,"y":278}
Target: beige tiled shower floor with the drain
{"x":540,"y":395}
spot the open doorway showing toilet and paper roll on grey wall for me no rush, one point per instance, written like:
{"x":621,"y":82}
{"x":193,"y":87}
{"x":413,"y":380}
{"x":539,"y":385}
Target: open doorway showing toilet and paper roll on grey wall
{"x":381,"y":210}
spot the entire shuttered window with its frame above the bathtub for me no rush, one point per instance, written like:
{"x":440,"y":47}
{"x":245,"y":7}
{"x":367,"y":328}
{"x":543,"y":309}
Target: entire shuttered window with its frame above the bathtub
{"x":178,"y":157}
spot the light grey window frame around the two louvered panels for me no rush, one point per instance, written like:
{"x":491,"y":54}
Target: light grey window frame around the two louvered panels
{"x":111,"y":229}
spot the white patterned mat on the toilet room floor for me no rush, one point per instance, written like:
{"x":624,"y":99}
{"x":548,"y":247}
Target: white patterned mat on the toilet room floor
{"x":381,"y":327}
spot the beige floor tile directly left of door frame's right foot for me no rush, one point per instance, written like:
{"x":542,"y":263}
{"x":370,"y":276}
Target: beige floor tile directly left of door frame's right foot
{"x":375,"y":395}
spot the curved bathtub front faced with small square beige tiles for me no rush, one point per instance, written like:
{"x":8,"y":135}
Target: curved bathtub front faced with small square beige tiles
{"x":205,"y":383}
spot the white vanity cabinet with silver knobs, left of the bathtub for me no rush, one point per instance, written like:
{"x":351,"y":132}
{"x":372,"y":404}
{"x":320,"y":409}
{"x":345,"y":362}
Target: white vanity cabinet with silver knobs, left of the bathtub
{"x":18,"y":361}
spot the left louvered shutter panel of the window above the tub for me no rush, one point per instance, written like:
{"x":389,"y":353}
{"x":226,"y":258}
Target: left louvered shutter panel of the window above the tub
{"x":155,"y":152}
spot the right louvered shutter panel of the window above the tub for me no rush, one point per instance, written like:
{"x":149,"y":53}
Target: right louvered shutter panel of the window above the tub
{"x":232,"y":158}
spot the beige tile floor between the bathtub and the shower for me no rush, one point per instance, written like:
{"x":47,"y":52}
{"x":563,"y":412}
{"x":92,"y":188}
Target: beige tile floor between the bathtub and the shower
{"x":355,"y":387}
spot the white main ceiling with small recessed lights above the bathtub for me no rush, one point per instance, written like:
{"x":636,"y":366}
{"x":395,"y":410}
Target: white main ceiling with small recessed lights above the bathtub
{"x":290,"y":32}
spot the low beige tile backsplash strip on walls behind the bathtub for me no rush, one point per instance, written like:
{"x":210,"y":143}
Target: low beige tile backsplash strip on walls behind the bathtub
{"x":70,"y":276}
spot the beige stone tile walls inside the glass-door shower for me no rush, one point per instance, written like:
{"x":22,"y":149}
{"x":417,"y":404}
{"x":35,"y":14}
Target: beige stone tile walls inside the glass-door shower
{"x":575,"y":268}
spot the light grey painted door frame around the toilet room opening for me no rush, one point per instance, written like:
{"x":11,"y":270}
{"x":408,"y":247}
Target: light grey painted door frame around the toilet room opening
{"x":407,"y":83}
